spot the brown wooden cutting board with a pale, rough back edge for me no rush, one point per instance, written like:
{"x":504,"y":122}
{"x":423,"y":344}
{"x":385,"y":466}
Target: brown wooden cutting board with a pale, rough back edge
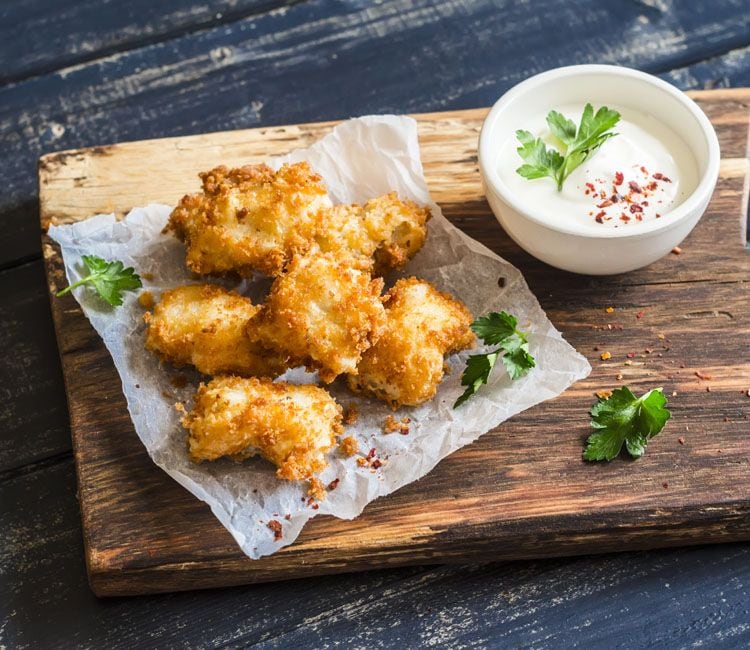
{"x":522,"y":490}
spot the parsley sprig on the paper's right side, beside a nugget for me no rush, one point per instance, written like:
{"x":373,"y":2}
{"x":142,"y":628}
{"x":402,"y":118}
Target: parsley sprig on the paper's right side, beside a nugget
{"x":496,"y":328}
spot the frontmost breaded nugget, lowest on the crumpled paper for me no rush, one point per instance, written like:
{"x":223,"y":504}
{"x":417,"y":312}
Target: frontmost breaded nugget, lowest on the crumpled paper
{"x":291,"y":426}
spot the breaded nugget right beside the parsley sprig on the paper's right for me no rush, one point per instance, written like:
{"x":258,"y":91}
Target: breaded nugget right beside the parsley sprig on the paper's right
{"x":423,"y":325}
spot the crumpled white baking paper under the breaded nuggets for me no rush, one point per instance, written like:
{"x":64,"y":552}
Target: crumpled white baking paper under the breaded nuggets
{"x":360,"y":159}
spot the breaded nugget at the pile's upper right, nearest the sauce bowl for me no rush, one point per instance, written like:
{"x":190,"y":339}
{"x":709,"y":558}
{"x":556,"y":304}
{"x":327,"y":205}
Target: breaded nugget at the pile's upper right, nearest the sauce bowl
{"x":387,"y":229}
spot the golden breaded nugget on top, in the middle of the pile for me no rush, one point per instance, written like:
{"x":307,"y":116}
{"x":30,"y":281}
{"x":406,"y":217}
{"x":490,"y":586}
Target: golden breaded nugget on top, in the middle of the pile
{"x":322,"y":313}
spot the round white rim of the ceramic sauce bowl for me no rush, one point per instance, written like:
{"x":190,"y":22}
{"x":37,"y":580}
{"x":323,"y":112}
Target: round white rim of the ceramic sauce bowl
{"x":703,"y":190}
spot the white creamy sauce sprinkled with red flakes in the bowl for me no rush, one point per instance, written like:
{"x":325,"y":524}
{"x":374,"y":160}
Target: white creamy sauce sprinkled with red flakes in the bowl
{"x":637,"y":176}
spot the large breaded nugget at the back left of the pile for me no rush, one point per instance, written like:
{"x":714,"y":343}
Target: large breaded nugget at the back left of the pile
{"x":250,"y":218}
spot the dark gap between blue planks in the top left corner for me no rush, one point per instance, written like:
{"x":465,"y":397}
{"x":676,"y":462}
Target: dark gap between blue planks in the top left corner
{"x":227,"y":18}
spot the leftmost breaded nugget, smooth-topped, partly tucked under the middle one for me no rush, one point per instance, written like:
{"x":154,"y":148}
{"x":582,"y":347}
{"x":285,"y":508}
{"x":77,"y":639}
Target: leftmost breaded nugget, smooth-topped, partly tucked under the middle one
{"x":203,"y":325}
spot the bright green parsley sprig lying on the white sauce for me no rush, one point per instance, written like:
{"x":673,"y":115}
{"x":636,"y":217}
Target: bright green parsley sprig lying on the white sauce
{"x":579,"y":144}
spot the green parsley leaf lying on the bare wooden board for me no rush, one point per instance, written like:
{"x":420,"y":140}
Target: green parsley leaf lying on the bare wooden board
{"x":624,"y":419}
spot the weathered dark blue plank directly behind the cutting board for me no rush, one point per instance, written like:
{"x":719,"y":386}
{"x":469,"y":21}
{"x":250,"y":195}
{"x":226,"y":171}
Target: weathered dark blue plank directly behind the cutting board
{"x":327,"y":60}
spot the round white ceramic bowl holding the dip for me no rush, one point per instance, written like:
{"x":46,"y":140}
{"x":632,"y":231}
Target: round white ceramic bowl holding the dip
{"x":609,"y":251}
